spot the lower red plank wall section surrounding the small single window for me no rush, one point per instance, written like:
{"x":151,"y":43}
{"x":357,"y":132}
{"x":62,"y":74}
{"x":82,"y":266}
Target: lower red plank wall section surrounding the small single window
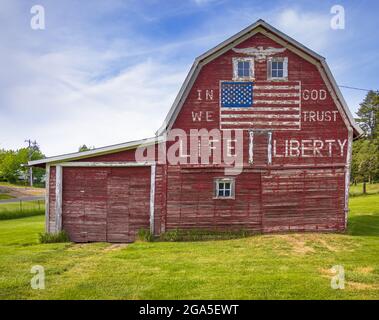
{"x":190,"y":202}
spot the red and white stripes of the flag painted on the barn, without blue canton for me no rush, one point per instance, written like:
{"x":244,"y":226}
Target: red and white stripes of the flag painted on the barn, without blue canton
{"x":276,"y":106}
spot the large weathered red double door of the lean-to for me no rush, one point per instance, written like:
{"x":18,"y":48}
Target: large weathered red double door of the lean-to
{"x":105,"y":204}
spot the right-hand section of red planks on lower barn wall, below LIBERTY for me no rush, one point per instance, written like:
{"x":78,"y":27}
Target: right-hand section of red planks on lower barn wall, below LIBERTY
{"x":303,"y":200}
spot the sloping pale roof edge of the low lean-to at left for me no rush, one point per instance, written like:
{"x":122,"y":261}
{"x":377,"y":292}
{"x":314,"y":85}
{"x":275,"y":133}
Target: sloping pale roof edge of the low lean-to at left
{"x":98,"y":151}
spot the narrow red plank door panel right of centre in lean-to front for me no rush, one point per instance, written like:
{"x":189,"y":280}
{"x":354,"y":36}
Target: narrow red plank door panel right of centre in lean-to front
{"x":118,"y":206}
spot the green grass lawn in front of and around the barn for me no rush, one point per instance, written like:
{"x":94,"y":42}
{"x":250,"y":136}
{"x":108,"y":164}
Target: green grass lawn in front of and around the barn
{"x":291,"y":266}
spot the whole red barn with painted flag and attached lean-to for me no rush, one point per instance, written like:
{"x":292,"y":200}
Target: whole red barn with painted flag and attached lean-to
{"x":259,"y":138}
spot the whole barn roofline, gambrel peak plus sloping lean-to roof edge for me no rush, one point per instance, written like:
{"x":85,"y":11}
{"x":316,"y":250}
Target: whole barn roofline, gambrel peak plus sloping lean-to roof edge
{"x":259,"y":26}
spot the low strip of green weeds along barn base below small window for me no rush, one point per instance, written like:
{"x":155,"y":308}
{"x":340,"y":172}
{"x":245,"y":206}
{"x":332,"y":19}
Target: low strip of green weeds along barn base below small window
{"x":201,"y":235}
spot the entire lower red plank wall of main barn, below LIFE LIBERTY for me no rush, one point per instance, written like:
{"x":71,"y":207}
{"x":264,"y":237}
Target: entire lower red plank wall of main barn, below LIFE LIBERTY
{"x":297,"y":199}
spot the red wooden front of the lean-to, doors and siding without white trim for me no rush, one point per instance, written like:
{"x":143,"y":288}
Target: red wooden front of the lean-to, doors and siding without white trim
{"x":107,"y":203}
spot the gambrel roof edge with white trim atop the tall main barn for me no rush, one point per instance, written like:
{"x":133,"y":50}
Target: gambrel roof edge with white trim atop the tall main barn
{"x":263,"y":27}
